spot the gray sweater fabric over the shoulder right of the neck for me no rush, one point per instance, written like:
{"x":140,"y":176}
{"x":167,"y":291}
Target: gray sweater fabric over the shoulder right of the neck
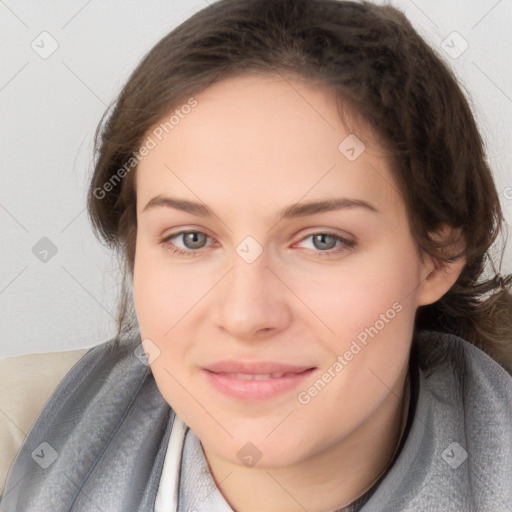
{"x":458,"y":451}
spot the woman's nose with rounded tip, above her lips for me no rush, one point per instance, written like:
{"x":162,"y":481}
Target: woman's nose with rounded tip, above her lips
{"x":253,"y":301}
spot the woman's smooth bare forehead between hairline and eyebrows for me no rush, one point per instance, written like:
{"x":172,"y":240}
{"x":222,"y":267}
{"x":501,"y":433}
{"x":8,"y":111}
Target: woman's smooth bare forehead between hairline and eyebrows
{"x":265,"y":135}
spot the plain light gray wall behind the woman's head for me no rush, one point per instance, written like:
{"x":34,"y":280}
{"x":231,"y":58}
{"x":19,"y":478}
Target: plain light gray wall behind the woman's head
{"x":65,"y":298}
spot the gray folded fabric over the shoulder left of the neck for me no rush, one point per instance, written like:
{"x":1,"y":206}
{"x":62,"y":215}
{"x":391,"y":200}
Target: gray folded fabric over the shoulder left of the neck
{"x":102,"y":411}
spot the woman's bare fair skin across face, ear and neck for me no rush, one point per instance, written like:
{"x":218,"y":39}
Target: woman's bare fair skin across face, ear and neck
{"x":253,"y":145}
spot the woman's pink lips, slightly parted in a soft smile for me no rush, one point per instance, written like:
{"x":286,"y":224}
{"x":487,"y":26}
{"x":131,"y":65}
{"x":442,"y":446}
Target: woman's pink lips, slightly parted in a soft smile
{"x":255,"y":380}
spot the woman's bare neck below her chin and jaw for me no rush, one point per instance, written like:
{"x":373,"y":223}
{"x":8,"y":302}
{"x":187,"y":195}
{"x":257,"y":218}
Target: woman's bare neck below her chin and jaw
{"x":327,"y":481}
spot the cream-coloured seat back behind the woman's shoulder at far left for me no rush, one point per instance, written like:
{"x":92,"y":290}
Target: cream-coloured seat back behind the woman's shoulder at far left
{"x":26,"y":383}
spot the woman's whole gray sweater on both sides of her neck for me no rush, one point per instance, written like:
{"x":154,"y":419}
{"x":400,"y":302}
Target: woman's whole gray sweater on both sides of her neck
{"x":100,"y":442}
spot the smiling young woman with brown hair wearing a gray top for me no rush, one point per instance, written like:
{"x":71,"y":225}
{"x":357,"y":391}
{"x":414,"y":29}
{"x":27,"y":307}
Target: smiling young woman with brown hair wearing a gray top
{"x":300,"y":195}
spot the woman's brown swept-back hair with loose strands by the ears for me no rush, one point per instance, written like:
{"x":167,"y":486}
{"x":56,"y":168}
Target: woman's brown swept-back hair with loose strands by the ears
{"x":379,"y":66}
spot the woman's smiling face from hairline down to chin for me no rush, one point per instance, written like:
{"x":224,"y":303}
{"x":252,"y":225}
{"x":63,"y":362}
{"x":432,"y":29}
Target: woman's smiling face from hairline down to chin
{"x":270,"y":282}
